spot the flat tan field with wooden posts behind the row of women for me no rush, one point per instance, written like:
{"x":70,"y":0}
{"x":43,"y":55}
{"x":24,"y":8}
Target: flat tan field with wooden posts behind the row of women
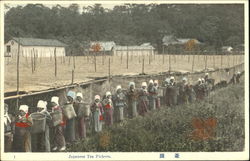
{"x":44,"y":74}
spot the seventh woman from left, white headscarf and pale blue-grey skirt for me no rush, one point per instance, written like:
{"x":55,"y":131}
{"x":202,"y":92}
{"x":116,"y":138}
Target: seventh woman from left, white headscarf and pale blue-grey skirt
{"x":97,"y":114}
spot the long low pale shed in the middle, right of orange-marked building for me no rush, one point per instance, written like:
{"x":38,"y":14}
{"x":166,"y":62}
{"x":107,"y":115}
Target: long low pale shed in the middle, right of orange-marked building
{"x":144,"y":49}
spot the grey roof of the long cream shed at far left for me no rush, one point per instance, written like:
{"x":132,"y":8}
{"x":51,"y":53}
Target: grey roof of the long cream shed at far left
{"x":39,"y":42}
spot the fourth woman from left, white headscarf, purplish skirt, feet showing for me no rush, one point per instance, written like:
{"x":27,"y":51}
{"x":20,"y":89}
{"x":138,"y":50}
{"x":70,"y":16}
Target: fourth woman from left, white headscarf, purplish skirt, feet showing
{"x":59,"y":140}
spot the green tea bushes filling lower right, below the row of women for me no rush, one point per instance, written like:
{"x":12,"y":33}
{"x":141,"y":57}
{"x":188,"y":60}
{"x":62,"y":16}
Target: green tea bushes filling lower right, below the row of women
{"x":170,"y":128}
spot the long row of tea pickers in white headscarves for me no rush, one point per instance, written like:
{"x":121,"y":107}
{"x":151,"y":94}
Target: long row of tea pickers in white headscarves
{"x":105,"y":111}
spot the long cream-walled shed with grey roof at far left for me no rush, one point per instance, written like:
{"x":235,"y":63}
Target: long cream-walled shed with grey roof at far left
{"x":29,"y":46}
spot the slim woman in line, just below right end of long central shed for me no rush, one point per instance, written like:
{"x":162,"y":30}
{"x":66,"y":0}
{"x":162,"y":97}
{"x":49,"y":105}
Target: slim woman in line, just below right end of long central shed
{"x":152,"y":95}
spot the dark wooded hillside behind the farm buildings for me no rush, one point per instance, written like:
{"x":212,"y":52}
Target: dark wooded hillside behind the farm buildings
{"x":128,"y":24}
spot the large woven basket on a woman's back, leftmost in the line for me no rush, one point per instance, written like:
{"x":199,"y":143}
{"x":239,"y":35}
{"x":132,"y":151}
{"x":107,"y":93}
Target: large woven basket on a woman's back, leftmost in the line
{"x":39,"y":122}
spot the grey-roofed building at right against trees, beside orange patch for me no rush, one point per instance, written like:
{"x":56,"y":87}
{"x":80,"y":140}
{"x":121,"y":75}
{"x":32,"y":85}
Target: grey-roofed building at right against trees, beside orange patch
{"x":176,"y":45}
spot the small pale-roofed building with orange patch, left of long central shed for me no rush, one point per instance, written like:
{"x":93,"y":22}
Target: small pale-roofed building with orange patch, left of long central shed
{"x":102,"y":47}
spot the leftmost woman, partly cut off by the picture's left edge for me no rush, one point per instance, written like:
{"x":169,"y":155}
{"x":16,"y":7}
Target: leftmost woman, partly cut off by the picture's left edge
{"x":8,"y":129}
